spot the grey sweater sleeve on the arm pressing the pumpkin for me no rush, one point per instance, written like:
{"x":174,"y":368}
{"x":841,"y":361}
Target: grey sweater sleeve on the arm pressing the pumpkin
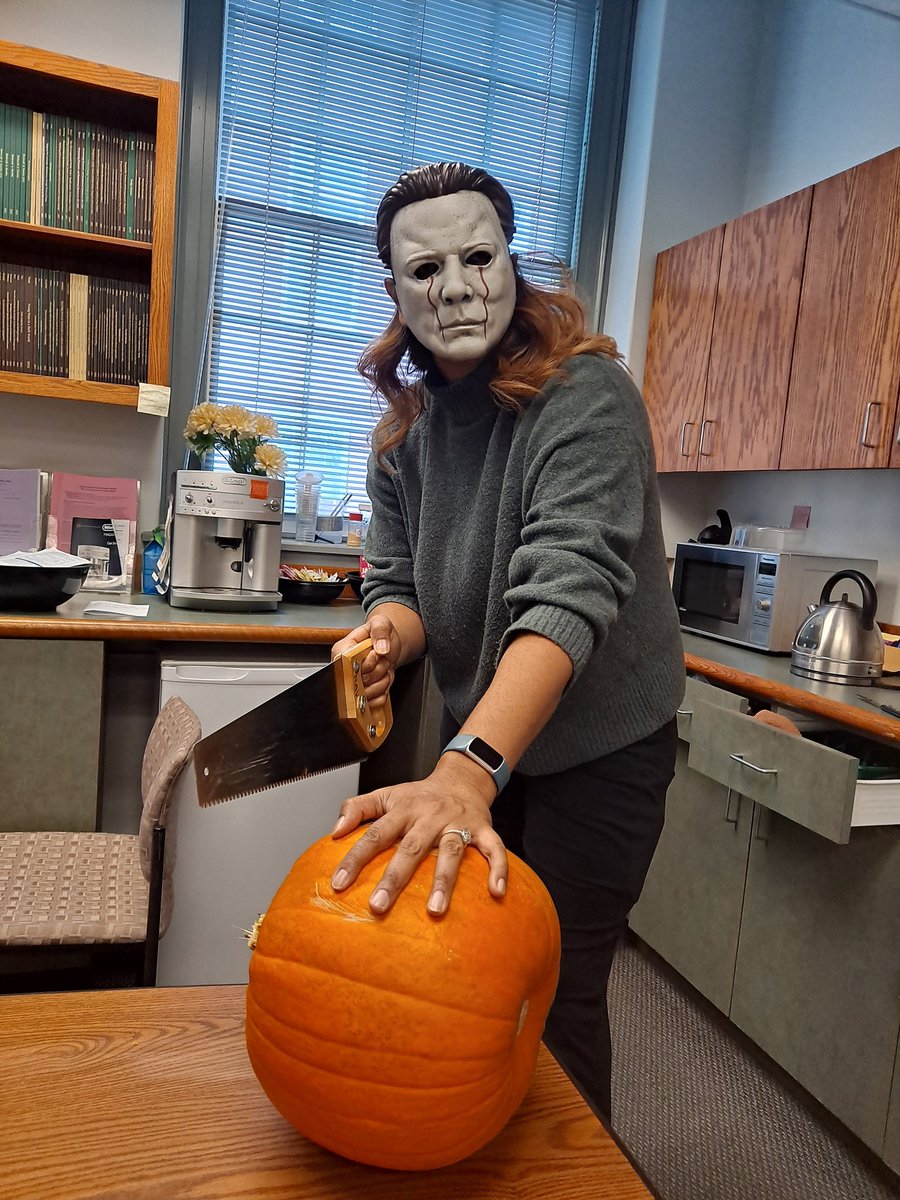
{"x":586,"y":475}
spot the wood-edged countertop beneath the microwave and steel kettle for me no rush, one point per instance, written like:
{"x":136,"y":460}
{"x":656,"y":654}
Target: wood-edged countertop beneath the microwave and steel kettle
{"x":769,"y":677}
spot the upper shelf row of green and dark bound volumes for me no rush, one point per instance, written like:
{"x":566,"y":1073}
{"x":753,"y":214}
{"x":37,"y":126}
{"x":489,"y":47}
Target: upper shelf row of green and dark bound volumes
{"x":74,"y":175}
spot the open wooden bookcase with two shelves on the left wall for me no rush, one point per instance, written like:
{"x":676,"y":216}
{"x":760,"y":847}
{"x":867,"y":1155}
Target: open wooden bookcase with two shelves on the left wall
{"x":76,"y":92}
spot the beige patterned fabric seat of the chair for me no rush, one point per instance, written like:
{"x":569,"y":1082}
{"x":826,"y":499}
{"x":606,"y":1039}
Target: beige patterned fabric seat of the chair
{"x":62,"y":889}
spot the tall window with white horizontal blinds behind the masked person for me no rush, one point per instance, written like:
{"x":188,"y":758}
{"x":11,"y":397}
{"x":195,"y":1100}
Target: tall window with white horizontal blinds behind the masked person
{"x":325,"y":104}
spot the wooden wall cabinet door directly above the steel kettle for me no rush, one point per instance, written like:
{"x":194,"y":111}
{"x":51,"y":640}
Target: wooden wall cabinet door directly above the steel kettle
{"x":847,"y":364}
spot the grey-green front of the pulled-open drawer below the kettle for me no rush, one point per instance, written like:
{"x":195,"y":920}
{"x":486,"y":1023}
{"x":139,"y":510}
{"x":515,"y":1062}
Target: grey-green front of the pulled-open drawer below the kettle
{"x":809,"y":784}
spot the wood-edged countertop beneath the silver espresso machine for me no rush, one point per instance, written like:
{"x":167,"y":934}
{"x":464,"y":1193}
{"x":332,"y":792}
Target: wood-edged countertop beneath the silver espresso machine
{"x":291,"y":623}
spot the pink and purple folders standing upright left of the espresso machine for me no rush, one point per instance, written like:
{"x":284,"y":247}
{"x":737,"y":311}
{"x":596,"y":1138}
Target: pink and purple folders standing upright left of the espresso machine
{"x":92,"y":517}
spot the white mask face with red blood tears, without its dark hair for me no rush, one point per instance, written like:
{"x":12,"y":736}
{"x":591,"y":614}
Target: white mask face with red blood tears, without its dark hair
{"x":454,"y":283}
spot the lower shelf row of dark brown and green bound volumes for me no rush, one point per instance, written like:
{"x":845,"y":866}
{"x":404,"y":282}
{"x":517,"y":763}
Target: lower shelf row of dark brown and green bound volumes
{"x":80,"y":327}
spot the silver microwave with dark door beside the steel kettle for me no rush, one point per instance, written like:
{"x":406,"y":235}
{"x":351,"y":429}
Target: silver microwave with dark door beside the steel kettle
{"x":757,"y":598}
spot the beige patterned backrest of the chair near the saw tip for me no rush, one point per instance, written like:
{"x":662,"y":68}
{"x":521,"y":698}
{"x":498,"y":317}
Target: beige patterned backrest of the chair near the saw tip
{"x":169,"y":748}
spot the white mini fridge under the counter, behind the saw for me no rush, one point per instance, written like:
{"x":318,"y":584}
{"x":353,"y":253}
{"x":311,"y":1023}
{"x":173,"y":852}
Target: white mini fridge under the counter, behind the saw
{"x":231,"y":859}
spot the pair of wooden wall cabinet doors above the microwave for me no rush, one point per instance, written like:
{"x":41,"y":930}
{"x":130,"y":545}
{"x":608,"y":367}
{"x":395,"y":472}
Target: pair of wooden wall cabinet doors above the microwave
{"x":722,"y":337}
